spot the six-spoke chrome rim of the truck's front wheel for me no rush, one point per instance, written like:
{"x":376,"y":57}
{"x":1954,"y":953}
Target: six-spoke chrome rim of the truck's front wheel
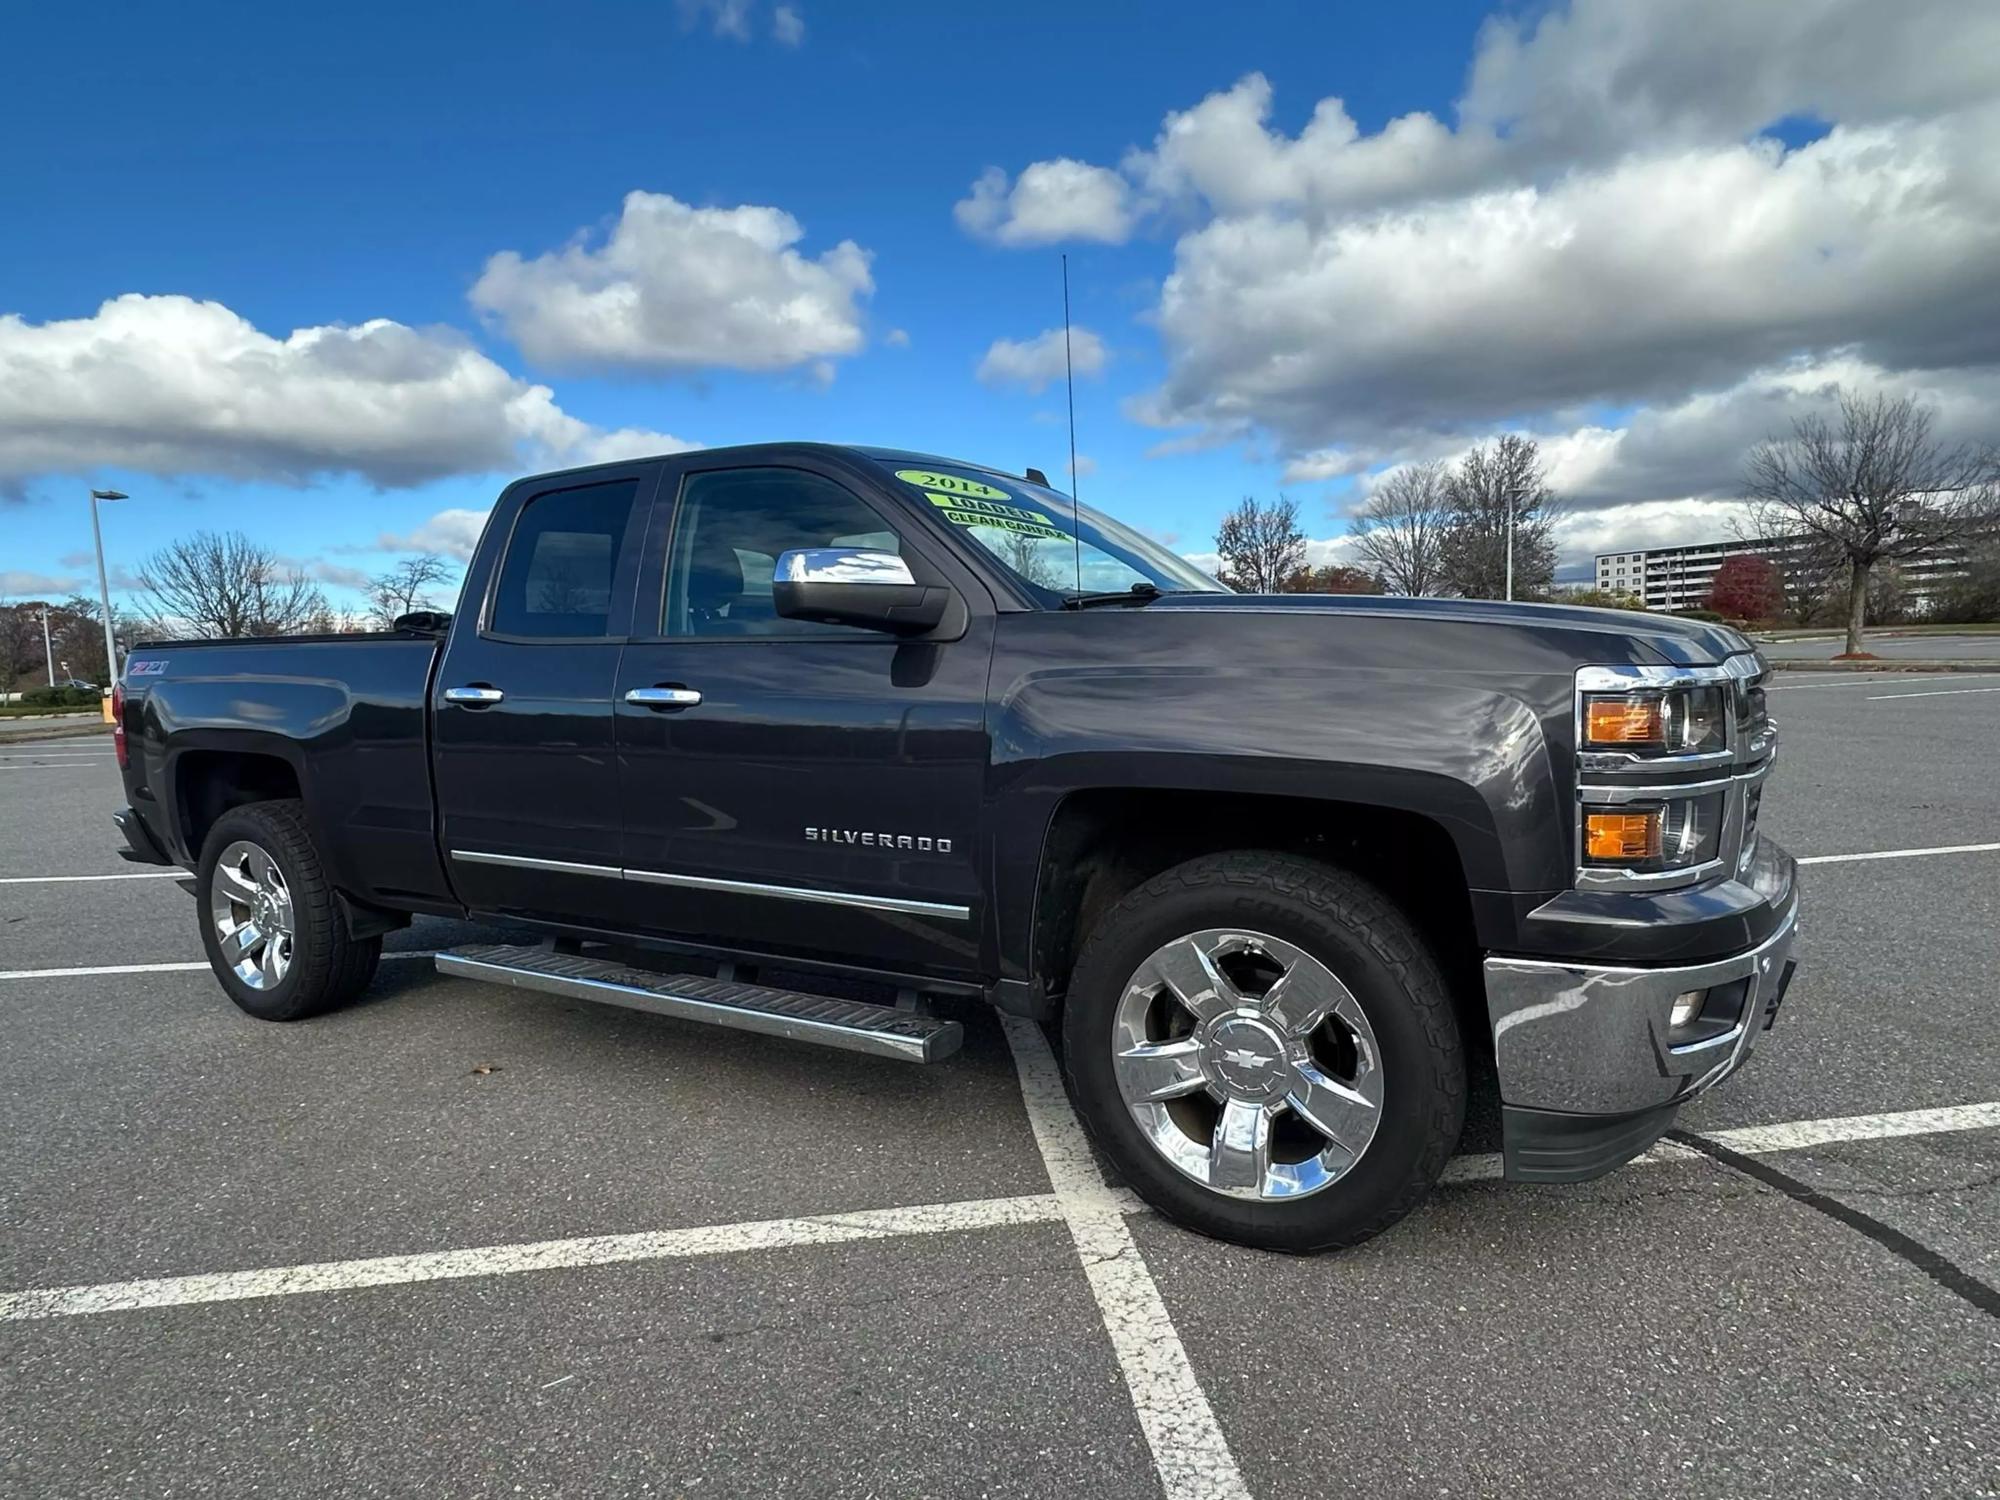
{"x":1247,"y":1065}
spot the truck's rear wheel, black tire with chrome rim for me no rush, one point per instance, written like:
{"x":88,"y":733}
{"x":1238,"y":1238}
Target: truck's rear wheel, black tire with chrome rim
{"x":271,"y":925}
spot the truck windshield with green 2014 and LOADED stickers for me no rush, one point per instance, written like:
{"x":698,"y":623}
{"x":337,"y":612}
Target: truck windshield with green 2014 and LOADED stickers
{"x":1027,"y":529}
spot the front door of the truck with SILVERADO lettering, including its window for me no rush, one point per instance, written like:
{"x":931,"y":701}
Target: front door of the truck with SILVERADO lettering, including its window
{"x":805,"y":789}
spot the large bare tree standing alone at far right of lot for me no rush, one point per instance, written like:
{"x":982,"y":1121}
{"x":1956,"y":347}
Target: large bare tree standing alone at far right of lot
{"x":1873,"y":485}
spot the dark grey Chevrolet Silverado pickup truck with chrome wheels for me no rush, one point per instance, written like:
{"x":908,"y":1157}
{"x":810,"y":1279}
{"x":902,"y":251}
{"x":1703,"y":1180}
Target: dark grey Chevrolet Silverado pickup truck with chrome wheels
{"x":825,"y":741}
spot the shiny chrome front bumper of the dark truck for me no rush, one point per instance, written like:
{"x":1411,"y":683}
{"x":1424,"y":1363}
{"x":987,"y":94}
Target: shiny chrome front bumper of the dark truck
{"x":1589,"y":1077}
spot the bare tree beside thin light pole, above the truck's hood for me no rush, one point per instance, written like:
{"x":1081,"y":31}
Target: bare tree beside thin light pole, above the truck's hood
{"x":1481,"y":493}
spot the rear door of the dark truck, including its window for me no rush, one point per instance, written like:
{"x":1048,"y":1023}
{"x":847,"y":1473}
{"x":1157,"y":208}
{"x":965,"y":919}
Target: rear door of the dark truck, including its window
{"x":523,"y":705}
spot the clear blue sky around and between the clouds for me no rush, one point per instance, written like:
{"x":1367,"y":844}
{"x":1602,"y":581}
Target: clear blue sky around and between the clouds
{"x":313,"y":167}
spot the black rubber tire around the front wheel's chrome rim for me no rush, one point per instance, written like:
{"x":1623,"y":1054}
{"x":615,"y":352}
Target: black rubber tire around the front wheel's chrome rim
{"x":1417,"y":1039}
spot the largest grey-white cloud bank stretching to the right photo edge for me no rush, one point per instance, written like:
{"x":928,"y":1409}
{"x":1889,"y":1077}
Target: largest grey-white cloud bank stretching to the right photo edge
{"x":1655,"y":277}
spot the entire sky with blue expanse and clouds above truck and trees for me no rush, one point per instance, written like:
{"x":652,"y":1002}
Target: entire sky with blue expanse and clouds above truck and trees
{"x":315,"y":169}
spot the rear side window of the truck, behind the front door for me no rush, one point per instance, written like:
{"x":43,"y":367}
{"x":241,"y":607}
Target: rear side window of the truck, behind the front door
{"x":561,"y":563}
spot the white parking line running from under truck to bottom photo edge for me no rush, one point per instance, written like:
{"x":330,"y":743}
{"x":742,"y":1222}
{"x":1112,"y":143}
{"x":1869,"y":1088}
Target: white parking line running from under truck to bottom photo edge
{"x":1181,"y":1427}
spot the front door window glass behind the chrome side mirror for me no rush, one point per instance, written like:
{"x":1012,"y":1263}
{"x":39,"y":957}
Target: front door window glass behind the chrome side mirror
{"x":733,"y":527}
